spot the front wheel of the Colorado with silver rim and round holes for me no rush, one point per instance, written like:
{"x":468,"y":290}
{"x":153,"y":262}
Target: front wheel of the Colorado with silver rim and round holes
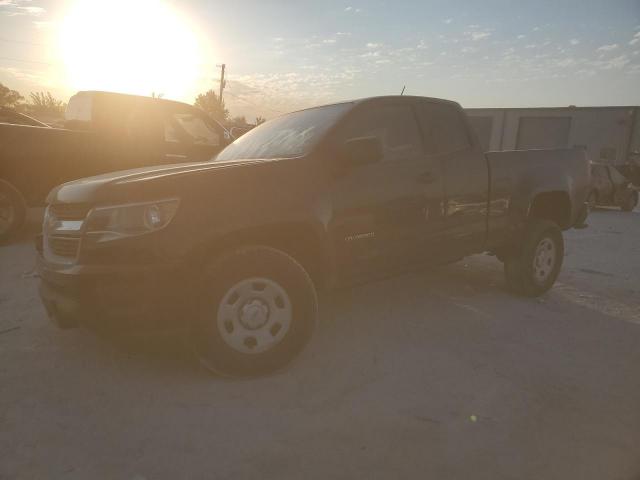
{"x":258,"y":309}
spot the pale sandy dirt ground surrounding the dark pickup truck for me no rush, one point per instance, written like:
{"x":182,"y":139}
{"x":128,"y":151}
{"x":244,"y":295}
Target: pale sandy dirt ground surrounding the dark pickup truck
{"x":439,"y":374}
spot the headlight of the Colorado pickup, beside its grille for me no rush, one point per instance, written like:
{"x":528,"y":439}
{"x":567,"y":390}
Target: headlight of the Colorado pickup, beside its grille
{"x":121,"y":221}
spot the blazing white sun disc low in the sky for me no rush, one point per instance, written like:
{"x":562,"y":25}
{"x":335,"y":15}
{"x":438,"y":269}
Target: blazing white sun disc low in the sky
{"x":137,"y":47}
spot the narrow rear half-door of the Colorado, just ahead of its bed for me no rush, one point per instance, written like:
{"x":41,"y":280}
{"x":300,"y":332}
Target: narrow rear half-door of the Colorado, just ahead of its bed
{"x":466,"y":177}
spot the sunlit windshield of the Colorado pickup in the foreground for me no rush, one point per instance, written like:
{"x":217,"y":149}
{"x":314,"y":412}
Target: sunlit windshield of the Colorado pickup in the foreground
{"x":291,"y":135}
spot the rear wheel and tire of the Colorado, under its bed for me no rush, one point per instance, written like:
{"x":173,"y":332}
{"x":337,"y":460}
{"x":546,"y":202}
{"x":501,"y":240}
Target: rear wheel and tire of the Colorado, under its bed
{"x":533,"y":267}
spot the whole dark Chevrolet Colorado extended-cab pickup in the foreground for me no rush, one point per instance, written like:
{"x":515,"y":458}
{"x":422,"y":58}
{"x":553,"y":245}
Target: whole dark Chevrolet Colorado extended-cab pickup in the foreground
{"x":235,"y":250}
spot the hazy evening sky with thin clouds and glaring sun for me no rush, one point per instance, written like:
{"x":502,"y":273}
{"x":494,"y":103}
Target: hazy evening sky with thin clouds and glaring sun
{"x":285,"y":55}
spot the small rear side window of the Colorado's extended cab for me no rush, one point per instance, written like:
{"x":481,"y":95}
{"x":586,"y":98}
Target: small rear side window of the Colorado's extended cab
{"x":444,"y":128}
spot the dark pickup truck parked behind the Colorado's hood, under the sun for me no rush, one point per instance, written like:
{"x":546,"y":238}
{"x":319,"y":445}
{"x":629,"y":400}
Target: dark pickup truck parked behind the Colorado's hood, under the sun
{"x":103,"y":132}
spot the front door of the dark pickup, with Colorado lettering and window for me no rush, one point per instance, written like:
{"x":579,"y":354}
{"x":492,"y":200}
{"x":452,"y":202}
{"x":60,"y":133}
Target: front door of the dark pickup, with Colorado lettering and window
{"x":382,"y":219}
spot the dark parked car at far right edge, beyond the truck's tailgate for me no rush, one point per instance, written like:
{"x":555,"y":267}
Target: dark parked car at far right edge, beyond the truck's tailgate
{"x":611,"y":188}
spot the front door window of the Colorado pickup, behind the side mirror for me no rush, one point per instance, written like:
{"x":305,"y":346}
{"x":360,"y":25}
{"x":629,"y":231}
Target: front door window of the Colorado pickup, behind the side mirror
{"x":394,"y":125}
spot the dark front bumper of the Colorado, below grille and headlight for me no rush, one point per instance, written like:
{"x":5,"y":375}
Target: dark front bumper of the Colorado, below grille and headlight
{"x":117,"y":298}
